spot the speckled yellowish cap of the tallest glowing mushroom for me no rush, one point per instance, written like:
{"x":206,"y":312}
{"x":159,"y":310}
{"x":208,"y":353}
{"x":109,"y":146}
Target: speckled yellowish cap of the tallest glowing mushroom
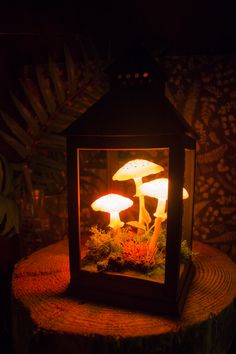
{"x":135,"y":169}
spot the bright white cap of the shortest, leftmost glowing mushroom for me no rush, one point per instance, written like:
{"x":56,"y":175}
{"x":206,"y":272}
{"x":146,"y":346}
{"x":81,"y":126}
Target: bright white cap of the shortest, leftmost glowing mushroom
{"x":111,"y":203}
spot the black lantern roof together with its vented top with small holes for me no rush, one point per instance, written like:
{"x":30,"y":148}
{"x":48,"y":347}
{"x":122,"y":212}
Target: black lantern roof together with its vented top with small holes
{"x":135,"y":105}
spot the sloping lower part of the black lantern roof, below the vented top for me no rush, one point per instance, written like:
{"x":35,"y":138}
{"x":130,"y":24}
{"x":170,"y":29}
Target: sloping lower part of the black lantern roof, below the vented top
{"x":130,"y":112}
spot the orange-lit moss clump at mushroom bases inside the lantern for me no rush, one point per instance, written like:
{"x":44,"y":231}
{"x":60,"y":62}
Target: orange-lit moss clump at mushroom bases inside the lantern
{"x":125,"y":249}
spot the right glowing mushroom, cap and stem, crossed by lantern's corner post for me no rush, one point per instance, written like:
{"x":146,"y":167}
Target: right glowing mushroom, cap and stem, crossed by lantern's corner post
{"x":158,"y":188}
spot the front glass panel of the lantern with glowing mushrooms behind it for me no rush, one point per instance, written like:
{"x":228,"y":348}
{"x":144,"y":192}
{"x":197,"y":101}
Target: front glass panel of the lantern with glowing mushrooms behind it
{"x":124,"y":236}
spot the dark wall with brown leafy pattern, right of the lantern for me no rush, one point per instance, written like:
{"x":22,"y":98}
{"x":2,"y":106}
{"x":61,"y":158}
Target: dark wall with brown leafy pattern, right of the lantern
{"x":203,"y":89}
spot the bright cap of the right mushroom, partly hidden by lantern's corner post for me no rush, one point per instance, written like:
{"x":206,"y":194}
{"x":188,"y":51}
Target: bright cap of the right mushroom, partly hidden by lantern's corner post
{"x":158,"y":188}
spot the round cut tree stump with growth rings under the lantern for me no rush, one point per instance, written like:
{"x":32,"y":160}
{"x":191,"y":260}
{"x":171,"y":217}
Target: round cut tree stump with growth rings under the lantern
{"x":46,"y":320}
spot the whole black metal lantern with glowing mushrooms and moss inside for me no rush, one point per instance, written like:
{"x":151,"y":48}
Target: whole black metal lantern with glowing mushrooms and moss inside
{"x":131,"y":161}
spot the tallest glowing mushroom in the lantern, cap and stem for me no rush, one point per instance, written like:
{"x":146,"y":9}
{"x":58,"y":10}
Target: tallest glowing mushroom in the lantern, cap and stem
{"x":137,"y":169}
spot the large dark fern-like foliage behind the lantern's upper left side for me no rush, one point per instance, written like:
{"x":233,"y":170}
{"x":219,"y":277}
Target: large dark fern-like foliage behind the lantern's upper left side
{"x":54,"y":95}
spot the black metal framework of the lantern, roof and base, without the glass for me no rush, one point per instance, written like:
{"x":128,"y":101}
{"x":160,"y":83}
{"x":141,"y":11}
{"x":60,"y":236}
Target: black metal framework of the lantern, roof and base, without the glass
{"x":163,"y":128}
